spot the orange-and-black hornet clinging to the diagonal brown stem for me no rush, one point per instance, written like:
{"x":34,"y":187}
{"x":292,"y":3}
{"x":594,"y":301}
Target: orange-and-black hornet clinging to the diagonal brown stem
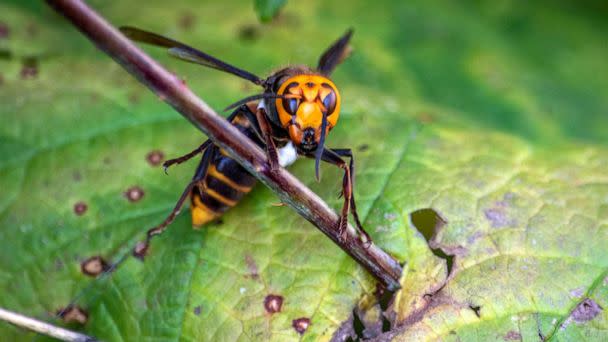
{"x":298,"y":107}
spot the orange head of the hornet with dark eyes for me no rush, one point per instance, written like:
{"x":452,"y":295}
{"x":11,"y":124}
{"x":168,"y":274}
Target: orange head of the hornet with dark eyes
{"x":306,"y":102}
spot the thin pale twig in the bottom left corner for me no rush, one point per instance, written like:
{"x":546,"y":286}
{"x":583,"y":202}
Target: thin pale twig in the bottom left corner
{"x":42,"y":327}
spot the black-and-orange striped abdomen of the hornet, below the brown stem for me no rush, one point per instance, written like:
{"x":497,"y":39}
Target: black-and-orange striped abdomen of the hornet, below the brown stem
{"x":224,"y":182}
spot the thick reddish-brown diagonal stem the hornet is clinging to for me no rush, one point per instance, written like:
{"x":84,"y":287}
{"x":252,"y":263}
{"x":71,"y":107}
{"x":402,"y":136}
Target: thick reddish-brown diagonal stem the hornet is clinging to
{"x":172,"y":90}
